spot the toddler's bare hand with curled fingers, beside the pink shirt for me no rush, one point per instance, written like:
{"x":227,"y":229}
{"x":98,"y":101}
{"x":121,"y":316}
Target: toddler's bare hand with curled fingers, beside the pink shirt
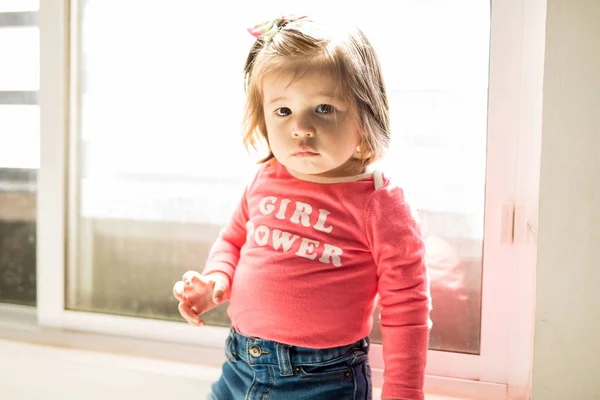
{"x":197,"y":294}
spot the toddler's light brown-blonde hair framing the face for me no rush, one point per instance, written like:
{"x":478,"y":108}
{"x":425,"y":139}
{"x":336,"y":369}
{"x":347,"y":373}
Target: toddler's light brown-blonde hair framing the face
{"x":345,"y":52}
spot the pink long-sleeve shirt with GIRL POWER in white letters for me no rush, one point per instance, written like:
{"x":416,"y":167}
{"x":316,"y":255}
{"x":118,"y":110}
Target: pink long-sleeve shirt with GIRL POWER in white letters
{"x":307,"y":259}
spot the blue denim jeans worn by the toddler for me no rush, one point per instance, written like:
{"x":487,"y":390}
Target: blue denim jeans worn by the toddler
{"x":258,"y":369}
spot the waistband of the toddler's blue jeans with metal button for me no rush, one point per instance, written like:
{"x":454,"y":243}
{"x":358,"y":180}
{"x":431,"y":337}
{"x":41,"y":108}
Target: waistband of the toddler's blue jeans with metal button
{"x":261,"y":351}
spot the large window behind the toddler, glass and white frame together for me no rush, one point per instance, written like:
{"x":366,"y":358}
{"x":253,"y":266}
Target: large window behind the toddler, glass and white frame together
{"x":148,"y":165}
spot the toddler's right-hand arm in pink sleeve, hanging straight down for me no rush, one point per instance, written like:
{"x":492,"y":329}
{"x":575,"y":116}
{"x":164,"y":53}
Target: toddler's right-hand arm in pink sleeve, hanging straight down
{"x":403,"y":287}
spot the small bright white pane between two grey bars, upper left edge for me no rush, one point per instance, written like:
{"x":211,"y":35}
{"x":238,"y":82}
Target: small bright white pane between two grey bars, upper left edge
{"x":19,"y":52}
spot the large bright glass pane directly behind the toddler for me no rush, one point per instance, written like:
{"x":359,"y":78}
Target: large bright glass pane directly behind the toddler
{"x":159,"y":177}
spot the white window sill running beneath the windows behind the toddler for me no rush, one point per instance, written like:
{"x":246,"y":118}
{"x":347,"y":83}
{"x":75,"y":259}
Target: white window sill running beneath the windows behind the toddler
{"x":112,"y":357}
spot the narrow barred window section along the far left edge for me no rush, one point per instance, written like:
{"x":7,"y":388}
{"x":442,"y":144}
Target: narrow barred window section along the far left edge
{"x":19,"y":150}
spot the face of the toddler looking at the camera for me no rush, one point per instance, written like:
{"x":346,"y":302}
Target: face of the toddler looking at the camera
{"x":310,"y":131}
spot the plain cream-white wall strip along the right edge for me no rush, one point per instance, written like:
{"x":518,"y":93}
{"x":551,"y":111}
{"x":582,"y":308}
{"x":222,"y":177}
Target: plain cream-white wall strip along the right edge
{"x":567,"y":319}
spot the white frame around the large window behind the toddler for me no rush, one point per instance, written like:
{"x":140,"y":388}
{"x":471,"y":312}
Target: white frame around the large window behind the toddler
{"x":502,"y":370}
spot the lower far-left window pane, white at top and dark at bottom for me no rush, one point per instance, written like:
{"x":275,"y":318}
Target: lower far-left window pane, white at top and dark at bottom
{"x":19,"y":160}
